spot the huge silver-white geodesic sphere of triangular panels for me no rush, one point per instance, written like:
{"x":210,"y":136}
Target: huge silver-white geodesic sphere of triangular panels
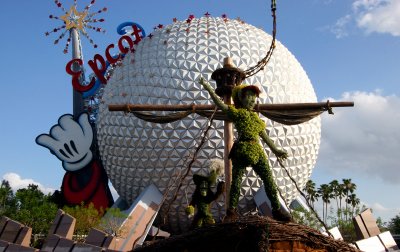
{"x":165,"y":69}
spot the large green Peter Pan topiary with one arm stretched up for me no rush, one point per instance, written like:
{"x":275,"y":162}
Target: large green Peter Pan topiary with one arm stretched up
{"x":247,"y":150}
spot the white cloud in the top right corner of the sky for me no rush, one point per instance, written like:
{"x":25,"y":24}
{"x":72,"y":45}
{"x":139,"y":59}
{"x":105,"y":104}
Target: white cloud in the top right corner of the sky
{"x":380,"y":16}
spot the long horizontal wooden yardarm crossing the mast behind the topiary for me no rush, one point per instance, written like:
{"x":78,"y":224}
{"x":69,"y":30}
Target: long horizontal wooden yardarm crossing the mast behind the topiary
{"x":184,"y":107}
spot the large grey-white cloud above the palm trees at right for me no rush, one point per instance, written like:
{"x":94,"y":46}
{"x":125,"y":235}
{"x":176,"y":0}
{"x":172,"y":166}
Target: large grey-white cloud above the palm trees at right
{"x":365,"y":139}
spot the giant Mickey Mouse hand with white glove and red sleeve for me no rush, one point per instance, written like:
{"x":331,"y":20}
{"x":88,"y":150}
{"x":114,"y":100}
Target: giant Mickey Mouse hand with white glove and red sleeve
{"x":85,"y":179}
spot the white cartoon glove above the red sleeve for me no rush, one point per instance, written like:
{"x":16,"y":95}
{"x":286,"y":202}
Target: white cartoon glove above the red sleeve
{"x":70,"y":141}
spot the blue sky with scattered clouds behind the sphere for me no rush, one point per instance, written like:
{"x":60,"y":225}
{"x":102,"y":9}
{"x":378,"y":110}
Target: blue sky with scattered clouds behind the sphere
{"x":349,"y":49}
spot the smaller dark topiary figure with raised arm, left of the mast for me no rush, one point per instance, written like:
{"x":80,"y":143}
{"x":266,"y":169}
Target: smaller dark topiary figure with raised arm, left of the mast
{"x":203,"y":196}
